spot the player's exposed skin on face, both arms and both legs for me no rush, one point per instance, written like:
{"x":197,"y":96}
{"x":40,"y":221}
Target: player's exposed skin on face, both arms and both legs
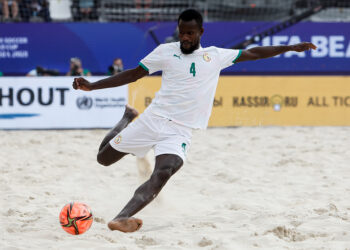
{"x":168,"y":164}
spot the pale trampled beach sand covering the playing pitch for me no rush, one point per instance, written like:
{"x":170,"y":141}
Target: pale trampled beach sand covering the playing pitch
{"x":241,"y":188}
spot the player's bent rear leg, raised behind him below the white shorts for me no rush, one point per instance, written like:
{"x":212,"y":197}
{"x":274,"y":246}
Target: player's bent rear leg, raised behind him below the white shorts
{"x":107,"y":155}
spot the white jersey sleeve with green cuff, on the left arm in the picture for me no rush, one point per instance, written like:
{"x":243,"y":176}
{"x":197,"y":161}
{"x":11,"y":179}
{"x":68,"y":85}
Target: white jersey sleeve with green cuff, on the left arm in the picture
{"x":153,"y":62}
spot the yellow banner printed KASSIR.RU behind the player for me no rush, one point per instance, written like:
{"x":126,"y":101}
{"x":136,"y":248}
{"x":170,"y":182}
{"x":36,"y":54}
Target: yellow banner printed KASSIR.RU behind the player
{"x":268,"y":101}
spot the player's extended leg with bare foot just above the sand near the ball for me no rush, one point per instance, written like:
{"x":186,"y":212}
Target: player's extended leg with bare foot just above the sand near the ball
{"x":166,"y":166}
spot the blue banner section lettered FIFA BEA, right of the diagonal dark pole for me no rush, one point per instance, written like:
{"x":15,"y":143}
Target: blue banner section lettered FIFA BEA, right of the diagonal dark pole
{"x":332,"y":55}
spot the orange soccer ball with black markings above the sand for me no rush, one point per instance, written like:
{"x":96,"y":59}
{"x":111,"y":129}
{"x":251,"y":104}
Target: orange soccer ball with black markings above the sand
{"x":76,"y":218}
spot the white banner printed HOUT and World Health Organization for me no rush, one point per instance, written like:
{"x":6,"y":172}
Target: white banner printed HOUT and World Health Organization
{"x":52,"y":103}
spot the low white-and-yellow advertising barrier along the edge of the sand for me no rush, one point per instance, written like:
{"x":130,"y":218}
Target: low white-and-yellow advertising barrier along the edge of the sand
{"x":51,"y":103}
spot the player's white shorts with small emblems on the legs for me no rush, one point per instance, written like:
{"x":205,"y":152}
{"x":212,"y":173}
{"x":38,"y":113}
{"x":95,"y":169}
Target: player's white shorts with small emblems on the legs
{"x":153,"y":131}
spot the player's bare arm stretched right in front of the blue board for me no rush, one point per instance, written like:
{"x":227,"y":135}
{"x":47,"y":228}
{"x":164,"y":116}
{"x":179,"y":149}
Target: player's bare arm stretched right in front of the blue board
{"x":270,"y":51}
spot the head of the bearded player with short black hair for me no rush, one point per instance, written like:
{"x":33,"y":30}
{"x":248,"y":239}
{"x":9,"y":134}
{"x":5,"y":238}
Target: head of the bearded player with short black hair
{"x":190,"y":23}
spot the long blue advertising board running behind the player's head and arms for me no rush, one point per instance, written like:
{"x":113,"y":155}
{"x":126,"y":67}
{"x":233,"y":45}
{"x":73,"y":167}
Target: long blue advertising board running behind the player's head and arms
{"x":51,"y":45}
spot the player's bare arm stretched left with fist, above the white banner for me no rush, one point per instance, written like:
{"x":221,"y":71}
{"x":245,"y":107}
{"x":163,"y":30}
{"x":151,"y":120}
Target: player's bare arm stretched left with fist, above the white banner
{"x":120,"y":79}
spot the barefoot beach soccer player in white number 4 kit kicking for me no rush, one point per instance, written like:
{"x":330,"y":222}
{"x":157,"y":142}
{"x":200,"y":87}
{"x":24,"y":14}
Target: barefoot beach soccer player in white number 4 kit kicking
{"x":184,"y":102}
